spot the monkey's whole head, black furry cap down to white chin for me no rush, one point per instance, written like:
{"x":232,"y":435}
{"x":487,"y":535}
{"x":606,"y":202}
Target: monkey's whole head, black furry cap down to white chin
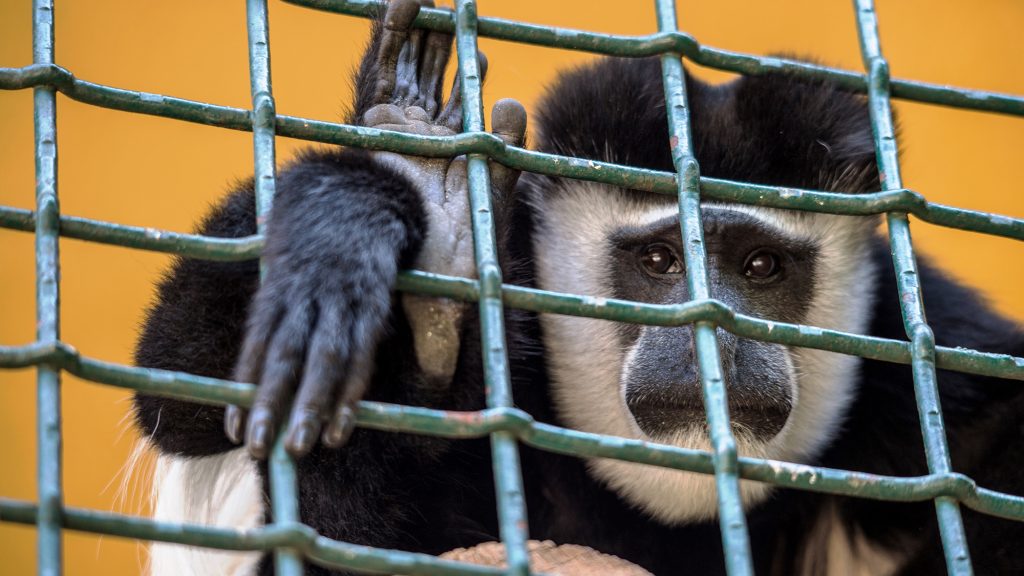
{"x":800,"y":268}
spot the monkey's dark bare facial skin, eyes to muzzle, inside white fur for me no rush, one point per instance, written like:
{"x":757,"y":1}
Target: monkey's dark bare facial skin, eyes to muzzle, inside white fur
{"x":754,"y":269}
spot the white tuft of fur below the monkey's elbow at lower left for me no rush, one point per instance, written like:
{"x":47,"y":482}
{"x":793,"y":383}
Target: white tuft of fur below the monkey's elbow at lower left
{"x":225,"y":491}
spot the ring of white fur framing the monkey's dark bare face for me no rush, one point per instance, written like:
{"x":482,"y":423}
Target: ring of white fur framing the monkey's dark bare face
{"x":587,"y":359}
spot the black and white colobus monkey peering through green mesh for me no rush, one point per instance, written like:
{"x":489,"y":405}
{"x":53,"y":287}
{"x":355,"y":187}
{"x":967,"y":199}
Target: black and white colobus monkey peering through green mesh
{"x":326,"y":327}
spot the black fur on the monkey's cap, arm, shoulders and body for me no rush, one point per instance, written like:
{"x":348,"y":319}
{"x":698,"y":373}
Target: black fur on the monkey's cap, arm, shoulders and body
{"x":432,"y":496}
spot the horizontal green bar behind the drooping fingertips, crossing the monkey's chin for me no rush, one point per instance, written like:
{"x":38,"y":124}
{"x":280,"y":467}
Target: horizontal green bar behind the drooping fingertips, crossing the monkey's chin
{"x":477,"y":425}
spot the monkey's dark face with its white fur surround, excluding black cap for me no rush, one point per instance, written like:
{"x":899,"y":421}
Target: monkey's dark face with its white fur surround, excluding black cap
{"x":645,"y":382}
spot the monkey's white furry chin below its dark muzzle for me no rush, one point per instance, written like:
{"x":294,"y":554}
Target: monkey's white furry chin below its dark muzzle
{"x":676,"y":498}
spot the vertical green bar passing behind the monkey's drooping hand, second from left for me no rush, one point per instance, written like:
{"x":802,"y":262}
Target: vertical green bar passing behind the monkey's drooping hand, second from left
{"x":284,"y":480}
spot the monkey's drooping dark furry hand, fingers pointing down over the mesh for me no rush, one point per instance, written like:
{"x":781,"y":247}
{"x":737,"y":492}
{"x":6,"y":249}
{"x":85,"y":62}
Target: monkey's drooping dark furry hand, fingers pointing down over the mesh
{"x":342,"y":228}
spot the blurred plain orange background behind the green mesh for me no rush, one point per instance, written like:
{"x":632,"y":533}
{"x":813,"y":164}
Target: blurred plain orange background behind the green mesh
{"x":162,"y":174}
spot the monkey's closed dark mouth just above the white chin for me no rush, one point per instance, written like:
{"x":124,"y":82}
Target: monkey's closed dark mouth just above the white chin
{"x":661,"y":420}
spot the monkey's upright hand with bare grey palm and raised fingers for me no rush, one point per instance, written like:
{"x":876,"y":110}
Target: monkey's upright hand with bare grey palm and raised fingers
{"x":408,"y":98}
